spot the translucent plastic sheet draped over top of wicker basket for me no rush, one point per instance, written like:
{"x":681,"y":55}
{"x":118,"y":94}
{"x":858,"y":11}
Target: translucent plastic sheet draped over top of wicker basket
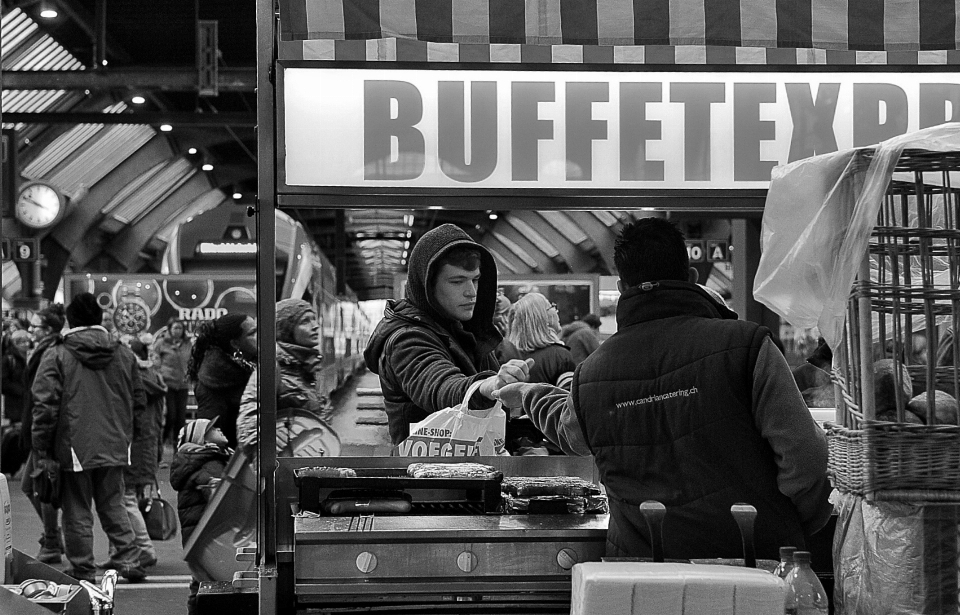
{"x":817,"y":221}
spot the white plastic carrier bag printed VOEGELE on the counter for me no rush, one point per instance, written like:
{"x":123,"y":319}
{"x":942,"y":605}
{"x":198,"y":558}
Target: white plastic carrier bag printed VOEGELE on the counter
{"x":458,"y":431}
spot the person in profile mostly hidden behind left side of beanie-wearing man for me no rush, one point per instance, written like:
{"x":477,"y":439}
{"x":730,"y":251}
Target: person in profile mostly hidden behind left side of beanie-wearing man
{"x":45,"y":326}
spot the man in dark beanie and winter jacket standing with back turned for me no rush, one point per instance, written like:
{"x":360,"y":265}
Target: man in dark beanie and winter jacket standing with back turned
{"x":87,"y":395}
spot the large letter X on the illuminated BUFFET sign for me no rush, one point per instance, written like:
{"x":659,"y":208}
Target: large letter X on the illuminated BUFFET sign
{"x":812,"y":121}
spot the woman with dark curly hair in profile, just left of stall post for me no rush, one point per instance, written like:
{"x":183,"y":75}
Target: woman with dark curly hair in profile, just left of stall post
{"x":224,"y":355}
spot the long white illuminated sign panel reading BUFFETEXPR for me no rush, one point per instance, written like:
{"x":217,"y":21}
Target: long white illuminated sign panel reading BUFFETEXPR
{"x":587,"y":130}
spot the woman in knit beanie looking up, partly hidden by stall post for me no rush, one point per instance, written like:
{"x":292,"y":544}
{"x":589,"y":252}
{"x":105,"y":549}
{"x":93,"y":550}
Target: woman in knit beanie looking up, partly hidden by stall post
{"x":298,"y":364}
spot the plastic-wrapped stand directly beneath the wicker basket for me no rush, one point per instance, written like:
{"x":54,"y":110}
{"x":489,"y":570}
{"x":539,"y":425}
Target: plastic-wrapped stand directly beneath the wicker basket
{"x":892,"y":558}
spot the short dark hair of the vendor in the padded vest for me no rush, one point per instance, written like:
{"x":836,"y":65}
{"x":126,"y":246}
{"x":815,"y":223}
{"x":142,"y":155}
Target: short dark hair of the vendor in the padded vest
{"x":651,"y":249}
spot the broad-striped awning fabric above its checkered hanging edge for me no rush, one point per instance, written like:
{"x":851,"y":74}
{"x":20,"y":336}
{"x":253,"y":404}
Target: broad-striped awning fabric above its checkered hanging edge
{"x":844,"y":25}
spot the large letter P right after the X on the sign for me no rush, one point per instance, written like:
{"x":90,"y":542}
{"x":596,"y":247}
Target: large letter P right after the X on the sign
{"x":869,"y":128}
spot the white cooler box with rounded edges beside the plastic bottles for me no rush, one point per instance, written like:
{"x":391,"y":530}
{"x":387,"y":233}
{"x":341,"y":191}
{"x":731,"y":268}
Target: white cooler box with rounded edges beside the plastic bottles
{"x":640,"y":588}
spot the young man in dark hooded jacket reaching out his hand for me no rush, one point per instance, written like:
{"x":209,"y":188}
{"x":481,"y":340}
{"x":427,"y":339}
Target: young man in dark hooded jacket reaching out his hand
{"x":440,"y":339}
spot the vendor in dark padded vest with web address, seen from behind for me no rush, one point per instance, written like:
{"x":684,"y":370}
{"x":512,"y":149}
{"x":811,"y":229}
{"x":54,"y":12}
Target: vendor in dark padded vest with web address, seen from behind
{"x":689,"y":406}
